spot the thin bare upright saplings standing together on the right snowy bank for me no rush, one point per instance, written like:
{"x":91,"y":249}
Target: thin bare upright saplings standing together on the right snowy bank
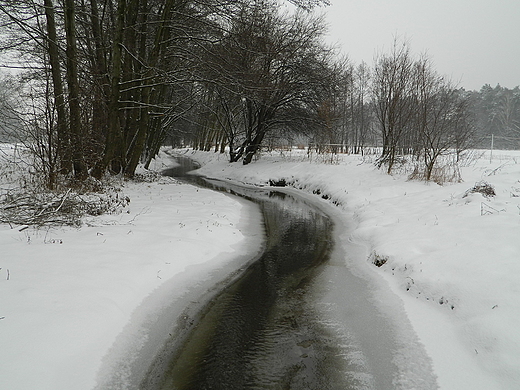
{"x":419,"y":112}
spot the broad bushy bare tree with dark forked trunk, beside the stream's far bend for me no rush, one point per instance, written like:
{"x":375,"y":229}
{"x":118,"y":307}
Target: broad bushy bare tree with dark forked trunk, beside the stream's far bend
{"x":276,"y":67}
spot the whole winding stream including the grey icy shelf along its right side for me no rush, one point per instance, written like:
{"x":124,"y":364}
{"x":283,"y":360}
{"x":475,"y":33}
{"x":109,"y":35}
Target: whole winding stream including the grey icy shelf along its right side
{"x":296,"y":317}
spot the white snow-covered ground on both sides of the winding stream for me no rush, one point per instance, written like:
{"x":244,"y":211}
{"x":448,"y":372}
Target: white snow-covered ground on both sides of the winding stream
{"x":71,"y":299}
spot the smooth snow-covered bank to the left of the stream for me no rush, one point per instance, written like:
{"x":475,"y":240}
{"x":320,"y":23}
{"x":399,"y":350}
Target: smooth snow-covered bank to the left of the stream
{"x":73,"y":301}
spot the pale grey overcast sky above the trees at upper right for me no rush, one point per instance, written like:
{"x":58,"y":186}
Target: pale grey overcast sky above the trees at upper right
{"x":475,"y":42}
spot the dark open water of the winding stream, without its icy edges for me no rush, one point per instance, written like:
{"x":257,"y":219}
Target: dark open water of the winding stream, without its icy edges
{"x":262,"y":330}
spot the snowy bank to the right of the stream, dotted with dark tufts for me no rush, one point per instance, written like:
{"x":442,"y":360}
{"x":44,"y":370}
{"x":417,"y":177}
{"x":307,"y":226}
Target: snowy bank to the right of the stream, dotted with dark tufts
{"x":452,"y":255}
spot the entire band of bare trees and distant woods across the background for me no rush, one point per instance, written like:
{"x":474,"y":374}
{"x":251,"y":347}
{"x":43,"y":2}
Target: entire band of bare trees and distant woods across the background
{"x":103,"y":84}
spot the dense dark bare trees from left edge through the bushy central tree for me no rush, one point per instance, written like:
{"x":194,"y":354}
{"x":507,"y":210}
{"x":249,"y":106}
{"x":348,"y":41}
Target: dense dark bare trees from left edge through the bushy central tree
{"x":107,"y":80}
